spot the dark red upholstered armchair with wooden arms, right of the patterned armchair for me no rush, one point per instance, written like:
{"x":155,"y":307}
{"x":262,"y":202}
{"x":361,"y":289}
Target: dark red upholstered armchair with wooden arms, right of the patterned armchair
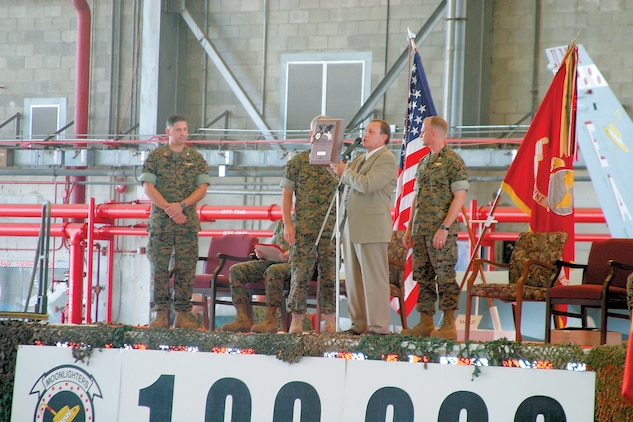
{"x":604,"y":285}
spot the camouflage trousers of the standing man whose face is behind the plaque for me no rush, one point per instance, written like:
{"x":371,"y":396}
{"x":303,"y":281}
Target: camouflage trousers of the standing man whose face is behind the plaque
{"x":303,"y":261}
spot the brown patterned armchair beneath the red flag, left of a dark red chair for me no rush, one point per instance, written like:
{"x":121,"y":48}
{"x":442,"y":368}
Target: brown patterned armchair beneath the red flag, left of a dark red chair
{"x":531,"y":272}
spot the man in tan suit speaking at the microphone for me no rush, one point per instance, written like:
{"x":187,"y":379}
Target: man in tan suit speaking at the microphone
{"x":369,"y":182}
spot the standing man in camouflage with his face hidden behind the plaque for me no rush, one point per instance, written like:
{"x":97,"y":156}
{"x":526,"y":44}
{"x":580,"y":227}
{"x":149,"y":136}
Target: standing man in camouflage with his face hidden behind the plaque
{"x":312,"y":189}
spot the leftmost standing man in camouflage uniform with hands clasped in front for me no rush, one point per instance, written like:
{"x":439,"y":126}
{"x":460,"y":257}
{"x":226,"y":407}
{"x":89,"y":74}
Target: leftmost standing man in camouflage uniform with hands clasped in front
{"x":175,"y":177}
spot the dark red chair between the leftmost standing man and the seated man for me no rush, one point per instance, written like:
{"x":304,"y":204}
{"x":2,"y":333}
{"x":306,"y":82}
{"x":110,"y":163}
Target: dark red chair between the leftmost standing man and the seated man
{"x":213,"y":283}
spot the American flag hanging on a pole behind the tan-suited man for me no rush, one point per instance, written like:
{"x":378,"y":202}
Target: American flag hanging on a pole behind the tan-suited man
{"x":419,"y":106}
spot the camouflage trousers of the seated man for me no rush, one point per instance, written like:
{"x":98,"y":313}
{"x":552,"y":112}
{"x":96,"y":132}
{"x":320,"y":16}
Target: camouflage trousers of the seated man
{"x":274,"y":274}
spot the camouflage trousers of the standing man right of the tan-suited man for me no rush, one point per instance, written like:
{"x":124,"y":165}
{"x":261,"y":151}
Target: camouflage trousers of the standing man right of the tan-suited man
{"x":435,"y":269}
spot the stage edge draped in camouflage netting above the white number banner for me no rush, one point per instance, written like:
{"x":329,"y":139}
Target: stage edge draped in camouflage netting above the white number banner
{"x":84,"y":343}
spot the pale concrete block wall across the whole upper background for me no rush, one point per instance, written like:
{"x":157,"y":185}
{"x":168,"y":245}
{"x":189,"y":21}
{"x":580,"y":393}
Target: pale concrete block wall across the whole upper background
{"x":37,"y":52}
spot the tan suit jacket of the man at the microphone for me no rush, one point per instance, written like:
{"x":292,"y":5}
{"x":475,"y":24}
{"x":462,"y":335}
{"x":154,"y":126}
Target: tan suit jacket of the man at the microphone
{"x":369,"y":194}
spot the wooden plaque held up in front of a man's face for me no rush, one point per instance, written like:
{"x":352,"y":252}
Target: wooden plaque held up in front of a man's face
{"x":327,"y":142}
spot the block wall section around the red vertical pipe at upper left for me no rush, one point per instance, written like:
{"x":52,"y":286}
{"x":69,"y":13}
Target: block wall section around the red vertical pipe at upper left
{"x":38,"y":59}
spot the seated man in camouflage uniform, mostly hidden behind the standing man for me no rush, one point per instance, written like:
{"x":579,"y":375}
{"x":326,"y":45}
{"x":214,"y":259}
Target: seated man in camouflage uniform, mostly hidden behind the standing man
{"x":275,"y":275}
